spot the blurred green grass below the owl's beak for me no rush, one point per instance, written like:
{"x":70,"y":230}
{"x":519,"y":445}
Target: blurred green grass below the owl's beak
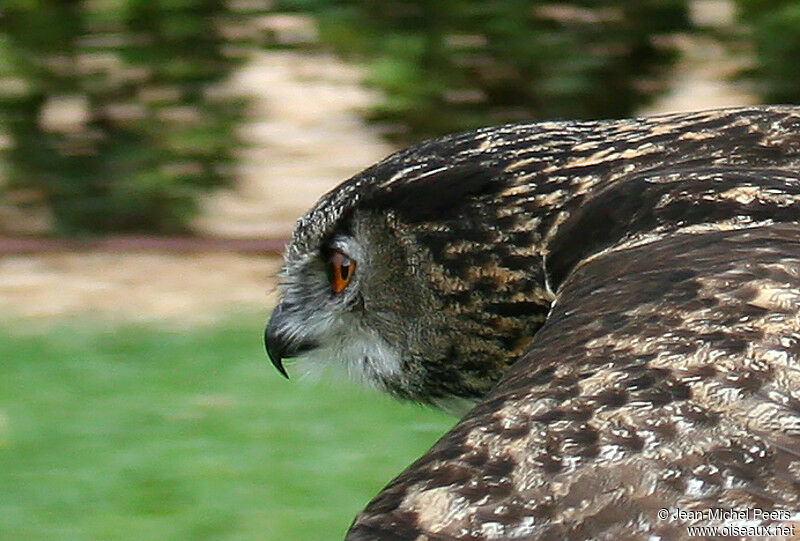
{"x":141,"y":431}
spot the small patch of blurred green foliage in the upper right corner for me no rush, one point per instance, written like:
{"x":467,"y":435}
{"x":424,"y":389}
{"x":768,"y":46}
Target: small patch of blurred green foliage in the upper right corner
{"x":775,"y":27}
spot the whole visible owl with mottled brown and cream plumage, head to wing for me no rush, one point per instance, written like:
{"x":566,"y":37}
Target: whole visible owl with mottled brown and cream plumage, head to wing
{"x":620,"y":298}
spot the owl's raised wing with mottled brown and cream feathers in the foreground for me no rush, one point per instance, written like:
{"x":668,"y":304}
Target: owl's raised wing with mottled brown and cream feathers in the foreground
{"x":667,"y":376}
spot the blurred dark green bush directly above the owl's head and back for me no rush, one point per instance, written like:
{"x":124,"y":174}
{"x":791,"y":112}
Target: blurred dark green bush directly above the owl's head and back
{"x":457,"y":64}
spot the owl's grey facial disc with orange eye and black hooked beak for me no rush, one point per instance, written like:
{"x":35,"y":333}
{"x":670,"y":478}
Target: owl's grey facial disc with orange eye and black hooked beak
{"x":360,"y":300}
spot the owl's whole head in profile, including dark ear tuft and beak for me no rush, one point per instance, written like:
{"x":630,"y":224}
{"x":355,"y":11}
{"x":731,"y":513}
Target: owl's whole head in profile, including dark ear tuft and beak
{"x":417,"y":275}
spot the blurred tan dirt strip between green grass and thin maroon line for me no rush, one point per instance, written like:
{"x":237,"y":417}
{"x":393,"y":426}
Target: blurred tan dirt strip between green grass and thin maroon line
{"x":134,"y":286}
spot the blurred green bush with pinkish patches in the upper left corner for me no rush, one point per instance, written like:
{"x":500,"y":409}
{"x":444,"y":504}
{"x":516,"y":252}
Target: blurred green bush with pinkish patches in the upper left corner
{"x":111,"y":108}
